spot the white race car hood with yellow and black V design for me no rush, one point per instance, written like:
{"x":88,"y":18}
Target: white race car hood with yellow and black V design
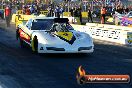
{"x":60,"y":38}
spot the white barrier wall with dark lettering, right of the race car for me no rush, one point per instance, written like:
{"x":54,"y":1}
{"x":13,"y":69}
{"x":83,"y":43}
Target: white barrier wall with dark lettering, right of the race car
{"x":117,"y":34}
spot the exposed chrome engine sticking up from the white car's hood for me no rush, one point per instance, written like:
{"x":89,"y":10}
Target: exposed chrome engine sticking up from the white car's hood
{"x":62,"y":27}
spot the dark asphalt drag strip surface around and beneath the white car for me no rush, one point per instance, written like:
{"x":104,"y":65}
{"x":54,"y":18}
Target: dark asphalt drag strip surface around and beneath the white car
{"x":20,"y":68}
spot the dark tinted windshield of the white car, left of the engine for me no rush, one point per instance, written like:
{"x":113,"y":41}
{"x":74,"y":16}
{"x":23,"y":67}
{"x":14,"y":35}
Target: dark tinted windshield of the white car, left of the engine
{"x":42,"y":24}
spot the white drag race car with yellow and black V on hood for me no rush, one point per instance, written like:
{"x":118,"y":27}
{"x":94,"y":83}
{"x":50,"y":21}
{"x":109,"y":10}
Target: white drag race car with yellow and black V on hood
{"x":53,"y":35}
